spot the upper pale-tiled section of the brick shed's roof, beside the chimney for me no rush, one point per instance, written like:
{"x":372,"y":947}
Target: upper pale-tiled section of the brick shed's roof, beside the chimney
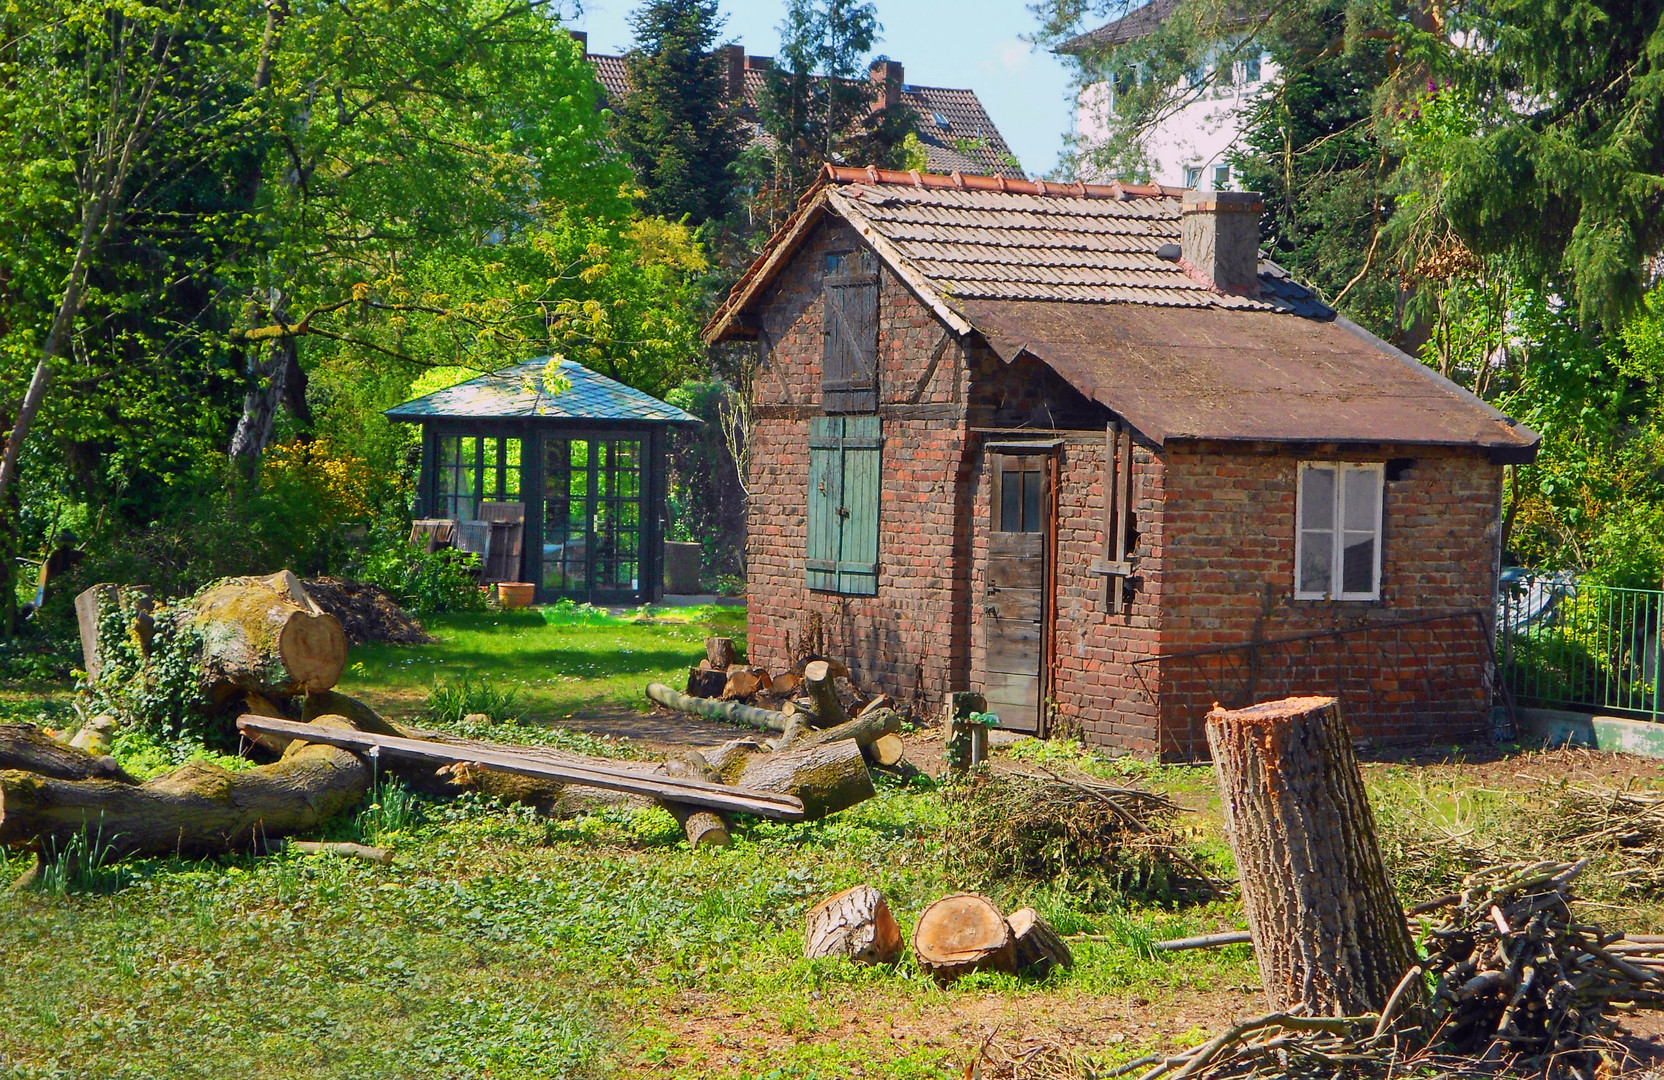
{"x":1004,"y":245}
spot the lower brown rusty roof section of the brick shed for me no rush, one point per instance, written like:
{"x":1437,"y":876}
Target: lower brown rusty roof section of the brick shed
{"x":1247,"y":377}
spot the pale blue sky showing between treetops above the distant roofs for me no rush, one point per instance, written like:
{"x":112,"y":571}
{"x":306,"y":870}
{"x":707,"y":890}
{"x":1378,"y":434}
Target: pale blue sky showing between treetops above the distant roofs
{"x":964,"y":44}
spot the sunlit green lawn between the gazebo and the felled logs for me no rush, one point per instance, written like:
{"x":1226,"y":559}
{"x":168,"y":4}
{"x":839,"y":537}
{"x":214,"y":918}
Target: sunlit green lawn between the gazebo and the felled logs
{"x":557,"y":661}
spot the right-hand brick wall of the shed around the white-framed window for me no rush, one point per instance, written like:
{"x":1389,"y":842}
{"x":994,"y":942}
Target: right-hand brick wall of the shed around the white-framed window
{"x":1229,"y":567}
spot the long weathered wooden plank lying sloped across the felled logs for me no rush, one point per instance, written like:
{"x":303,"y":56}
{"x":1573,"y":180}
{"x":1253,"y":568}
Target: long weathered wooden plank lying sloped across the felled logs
{"x":508,"y":760}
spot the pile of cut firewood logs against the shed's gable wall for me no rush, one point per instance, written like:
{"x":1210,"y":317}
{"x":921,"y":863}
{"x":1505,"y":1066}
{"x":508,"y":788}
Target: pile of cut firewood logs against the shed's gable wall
{"x":813,"y":703}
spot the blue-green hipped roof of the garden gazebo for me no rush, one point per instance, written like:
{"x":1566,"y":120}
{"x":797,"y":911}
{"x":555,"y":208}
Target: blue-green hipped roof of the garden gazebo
{"x":520,"y":392}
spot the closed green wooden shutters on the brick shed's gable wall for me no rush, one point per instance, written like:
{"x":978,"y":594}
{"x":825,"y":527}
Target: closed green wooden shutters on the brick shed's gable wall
{"x":843,"y":545}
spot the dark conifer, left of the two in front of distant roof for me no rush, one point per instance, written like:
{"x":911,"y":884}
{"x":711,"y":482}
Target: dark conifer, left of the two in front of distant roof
{"x":678,"y":127}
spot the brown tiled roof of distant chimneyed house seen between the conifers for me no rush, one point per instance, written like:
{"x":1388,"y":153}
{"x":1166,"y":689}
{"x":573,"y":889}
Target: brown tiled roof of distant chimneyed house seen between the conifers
{"x":954,"y":127}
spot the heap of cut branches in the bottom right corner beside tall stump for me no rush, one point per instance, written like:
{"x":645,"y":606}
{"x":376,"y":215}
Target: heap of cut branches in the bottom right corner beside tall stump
{"x":1520,"y":986}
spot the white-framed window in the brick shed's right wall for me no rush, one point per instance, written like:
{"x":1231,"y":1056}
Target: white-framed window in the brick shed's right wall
{"x":1339,"y":532}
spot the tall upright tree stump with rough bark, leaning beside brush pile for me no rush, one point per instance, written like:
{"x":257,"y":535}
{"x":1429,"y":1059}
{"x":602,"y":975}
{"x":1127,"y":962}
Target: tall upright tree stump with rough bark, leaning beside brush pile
{"x":1329,"y":931}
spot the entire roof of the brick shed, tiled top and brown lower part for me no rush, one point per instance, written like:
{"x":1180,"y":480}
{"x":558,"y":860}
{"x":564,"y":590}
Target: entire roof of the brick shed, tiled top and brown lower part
{"x":1071,"y":275}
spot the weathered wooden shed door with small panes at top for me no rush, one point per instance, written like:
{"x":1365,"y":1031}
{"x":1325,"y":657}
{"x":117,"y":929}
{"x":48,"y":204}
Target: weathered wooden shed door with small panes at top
{"x":1014,"y":585}
